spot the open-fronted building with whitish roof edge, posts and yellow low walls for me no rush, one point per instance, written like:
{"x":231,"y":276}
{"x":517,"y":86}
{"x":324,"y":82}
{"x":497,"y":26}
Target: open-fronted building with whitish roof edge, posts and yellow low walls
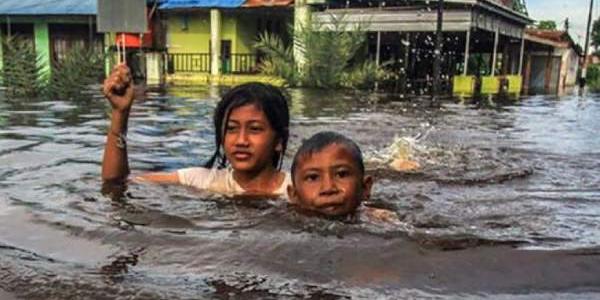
{"x":483,"y":39}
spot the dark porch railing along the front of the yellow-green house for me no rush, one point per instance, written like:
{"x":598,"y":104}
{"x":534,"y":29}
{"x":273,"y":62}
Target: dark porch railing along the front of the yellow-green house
{"x":235,"y":63}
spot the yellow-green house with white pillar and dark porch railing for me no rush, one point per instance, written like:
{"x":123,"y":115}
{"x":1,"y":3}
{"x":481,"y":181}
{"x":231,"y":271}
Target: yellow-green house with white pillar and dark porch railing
{"x":217,"y":37}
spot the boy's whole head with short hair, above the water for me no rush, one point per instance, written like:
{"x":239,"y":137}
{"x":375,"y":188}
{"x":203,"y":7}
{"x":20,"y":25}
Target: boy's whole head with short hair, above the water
{"x":328,"y":175}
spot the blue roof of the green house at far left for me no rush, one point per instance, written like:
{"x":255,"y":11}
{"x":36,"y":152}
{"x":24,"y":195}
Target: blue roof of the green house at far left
{"x":48,"y":7}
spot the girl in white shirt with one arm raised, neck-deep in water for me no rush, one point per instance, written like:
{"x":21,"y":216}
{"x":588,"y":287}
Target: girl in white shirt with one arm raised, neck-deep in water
{"x":251,"y":123}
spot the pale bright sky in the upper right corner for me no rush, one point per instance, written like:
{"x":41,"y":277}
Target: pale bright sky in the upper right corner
{"x":559,"y":10}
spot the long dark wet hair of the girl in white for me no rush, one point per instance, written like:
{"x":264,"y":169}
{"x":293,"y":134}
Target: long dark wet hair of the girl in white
{"x":267,"y":98}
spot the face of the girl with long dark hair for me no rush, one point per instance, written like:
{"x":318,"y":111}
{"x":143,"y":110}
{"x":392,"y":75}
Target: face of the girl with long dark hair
{"x":249,"y":140}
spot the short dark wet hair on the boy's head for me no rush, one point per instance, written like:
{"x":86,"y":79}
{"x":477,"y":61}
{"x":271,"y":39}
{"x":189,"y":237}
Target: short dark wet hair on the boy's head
{"x":320,"y":140}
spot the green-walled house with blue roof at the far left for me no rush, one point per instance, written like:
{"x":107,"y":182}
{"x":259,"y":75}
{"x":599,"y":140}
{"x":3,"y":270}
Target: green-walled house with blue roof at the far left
{"x":53,"y":27}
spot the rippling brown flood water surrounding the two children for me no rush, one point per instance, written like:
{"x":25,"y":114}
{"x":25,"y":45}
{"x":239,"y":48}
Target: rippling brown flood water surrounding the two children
{"x":506,"y":204}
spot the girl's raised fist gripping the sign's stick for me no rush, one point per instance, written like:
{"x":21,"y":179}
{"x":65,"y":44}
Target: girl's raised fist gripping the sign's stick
{"x":118,"y":88}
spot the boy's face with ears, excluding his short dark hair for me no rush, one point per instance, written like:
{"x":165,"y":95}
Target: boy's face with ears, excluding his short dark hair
{"x":329,"y":182}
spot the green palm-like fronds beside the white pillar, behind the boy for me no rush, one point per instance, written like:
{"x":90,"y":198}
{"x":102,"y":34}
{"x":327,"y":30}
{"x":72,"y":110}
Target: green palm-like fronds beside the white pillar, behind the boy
{"x":333,"y":57}
